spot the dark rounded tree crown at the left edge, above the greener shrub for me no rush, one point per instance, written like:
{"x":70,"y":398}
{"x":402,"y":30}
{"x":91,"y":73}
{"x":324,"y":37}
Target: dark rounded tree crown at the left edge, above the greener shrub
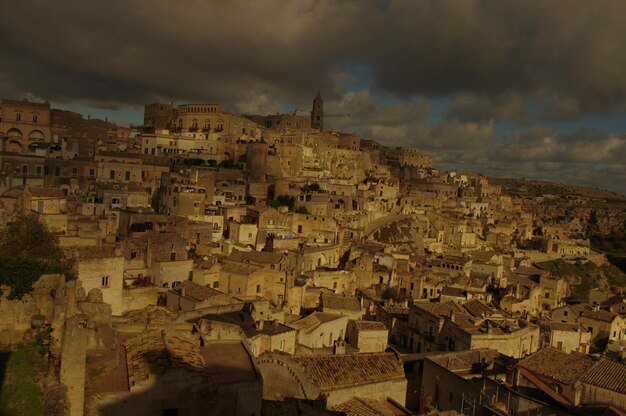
{"x":28,"y":238}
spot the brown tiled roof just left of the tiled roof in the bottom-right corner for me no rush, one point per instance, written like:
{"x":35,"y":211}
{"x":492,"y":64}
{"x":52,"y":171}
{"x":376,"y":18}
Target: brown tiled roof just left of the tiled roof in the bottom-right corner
{"x":558,"y":366}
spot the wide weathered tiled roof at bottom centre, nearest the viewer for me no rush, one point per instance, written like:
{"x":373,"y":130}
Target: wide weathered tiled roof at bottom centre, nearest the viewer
{"x":344,"y":370}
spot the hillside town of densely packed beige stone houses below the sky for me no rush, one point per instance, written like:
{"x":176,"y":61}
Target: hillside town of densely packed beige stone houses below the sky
{"x":260,"y":264}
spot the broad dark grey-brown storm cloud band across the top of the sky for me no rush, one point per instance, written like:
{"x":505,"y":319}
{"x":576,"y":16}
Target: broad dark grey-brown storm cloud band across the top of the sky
{"x":568,"y":57}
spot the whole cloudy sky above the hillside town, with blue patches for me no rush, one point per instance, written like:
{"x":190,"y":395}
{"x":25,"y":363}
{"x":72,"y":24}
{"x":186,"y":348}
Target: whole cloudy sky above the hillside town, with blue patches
{"x":528,"y":89}
